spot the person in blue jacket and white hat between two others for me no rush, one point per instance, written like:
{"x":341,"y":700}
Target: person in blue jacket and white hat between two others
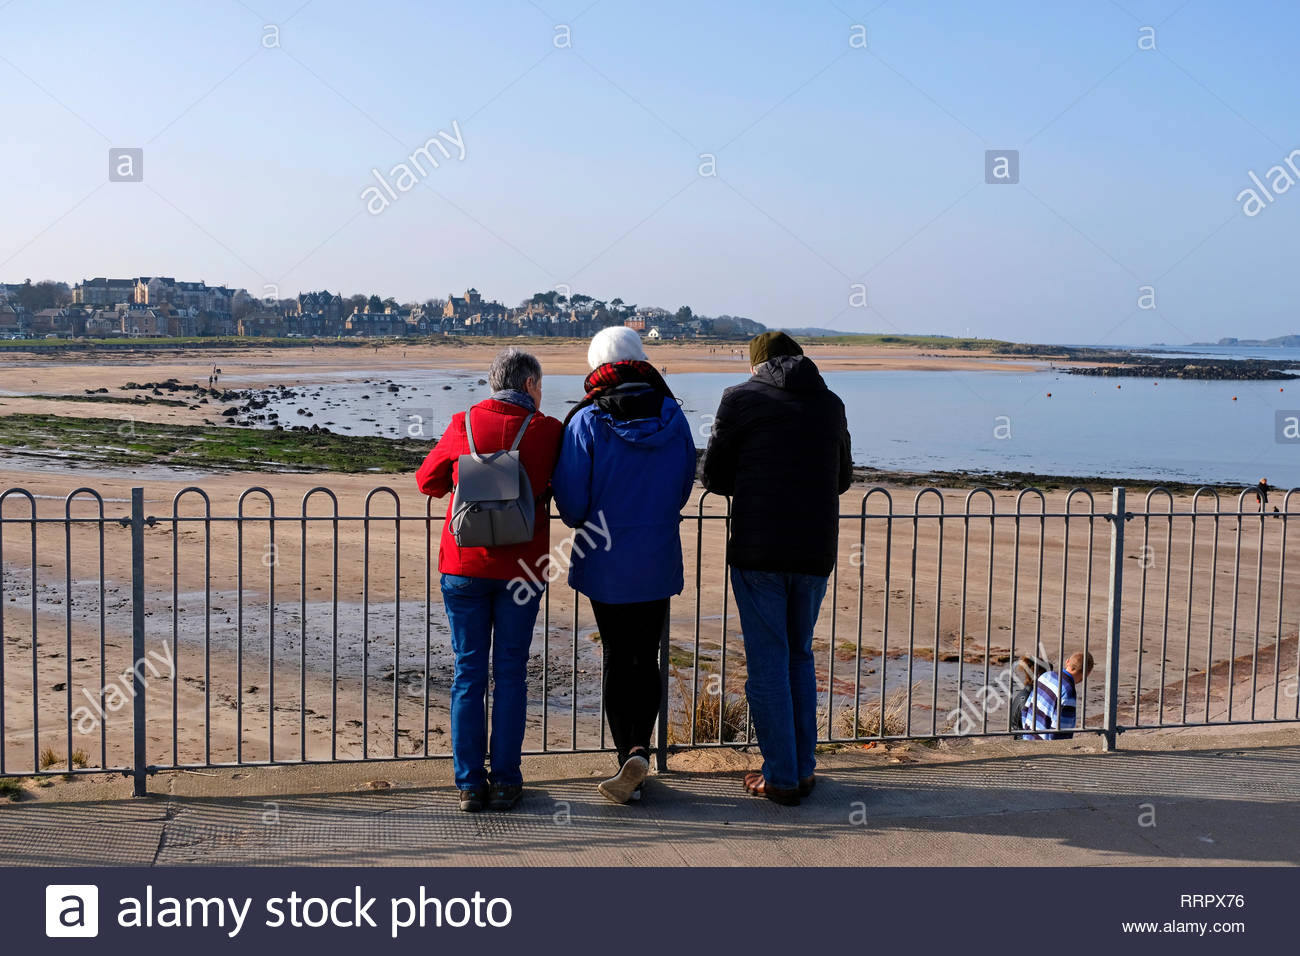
{"x":626,"y":470}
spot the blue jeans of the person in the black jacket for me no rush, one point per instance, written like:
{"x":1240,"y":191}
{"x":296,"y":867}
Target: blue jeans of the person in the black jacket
{"x":778,"y":613}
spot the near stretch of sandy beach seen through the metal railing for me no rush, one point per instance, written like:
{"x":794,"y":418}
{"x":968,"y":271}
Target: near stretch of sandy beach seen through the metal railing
{"x":352,"y":650}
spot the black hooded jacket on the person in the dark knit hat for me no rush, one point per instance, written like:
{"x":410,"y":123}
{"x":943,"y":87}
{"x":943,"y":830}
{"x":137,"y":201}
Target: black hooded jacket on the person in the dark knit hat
{"x":781,"y":449}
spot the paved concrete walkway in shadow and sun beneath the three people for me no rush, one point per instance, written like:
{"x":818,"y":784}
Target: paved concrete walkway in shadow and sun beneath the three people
{"x":1180,"y":798}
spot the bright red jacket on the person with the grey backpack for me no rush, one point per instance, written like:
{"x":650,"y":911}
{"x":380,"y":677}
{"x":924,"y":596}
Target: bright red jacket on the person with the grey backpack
{"x":496,"y":426}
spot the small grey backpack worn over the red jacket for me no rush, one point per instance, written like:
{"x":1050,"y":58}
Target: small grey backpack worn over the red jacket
{"x":493,"y":504}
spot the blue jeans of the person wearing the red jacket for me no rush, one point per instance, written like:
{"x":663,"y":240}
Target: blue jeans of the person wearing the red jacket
{"x":486,"y":621}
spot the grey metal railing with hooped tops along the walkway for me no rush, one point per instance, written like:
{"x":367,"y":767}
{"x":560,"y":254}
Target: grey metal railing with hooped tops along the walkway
{"x":144,"y":642}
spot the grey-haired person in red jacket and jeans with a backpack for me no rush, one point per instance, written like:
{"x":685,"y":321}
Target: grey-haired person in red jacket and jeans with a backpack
{"x":492,"y":622}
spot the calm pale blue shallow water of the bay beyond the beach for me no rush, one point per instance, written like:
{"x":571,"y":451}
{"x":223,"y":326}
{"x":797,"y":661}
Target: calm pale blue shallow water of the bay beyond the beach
{"x":1042,"y":422}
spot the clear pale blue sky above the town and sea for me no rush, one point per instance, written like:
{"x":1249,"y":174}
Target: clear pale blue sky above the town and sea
{"x":835,"y":165}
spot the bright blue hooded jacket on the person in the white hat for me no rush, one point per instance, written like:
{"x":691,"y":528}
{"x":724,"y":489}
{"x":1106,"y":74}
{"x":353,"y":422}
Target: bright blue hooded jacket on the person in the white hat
{"x":622,"y":483}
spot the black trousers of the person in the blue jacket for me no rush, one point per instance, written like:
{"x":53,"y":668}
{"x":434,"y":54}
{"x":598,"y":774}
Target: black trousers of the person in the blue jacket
{"x":631,"y":634}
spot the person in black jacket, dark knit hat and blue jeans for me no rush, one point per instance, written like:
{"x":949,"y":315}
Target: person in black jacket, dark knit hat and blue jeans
{"x":781,"y":449}
